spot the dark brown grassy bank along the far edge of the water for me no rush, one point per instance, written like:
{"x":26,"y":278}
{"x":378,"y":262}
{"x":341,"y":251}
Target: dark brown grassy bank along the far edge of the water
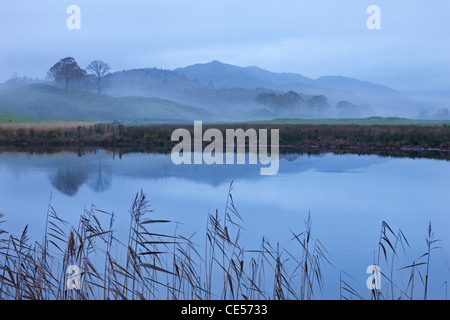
{"x":308,"y":136}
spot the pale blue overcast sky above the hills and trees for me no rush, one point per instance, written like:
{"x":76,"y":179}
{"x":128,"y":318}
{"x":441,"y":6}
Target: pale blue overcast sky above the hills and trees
{"x":313,"y":38}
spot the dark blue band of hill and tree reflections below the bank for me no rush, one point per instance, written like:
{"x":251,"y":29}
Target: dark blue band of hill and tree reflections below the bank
{"x":68,"y":172}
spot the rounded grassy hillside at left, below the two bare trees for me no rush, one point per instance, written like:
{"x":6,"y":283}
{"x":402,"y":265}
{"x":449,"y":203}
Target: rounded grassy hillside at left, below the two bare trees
{"x":48,"y":102}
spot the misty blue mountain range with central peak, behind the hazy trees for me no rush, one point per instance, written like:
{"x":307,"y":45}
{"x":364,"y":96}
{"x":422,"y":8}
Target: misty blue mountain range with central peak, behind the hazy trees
{"x":230,"y":90}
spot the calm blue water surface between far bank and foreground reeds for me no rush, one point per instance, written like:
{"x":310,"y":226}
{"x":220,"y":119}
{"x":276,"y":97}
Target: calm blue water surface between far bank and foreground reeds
{"x":348,"y":197}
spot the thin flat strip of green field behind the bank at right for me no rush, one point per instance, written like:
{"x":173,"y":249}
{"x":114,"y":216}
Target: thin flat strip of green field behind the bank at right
{"x":368,"y":121}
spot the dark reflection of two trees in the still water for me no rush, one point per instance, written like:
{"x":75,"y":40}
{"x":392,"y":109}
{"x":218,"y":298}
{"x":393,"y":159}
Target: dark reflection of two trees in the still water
{"x":69,"y":178}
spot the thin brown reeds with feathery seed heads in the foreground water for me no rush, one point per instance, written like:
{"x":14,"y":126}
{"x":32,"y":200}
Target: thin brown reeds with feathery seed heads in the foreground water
{"x":79,"y":262}
